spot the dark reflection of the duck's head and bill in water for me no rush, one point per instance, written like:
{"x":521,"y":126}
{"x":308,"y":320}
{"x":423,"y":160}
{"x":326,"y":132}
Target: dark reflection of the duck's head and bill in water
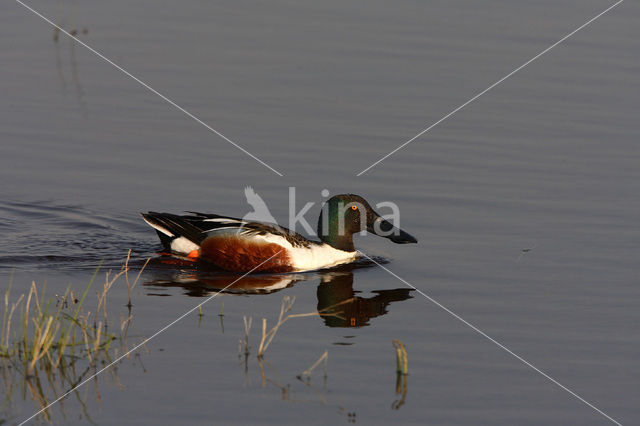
{"x":341,"y":307}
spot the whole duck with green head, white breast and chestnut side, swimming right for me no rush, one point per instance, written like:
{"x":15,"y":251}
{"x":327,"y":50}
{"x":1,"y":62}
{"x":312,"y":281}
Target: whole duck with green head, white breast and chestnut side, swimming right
{"x":240,"y":246}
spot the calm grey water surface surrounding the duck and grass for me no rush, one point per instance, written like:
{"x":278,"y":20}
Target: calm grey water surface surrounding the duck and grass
{"x":548,"y":161}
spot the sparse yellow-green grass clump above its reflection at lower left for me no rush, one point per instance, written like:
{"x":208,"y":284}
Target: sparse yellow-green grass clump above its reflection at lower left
{"x":52,"y":333}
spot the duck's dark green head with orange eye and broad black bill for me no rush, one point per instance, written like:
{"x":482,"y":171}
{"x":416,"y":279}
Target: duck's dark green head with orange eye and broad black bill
{"x":346,"y":214}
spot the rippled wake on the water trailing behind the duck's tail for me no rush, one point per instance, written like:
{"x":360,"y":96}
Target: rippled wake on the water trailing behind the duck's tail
{"x":44,"y":234}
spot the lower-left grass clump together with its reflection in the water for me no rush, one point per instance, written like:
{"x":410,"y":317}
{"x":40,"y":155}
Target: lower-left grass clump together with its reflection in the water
{"x":53,"y":337}
